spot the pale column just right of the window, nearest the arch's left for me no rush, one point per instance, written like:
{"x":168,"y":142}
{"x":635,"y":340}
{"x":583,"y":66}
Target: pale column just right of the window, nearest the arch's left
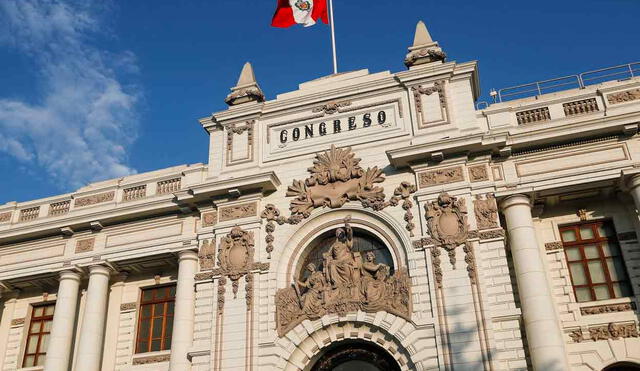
{"x":184,"y":311}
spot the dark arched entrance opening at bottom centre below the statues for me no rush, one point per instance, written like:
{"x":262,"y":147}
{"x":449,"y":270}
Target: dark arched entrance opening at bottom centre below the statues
{"x":354,"y":355}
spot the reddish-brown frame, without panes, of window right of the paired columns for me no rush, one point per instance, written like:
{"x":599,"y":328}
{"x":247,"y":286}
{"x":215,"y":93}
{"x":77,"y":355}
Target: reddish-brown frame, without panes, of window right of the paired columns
{"x":152,"y":302}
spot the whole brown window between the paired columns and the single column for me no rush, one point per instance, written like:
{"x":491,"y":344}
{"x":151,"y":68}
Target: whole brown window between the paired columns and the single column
{"x":156,"y":319}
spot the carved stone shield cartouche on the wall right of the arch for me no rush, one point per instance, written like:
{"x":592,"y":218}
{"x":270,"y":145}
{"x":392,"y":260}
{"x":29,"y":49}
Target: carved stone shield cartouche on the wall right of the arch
{"x":447,"y":223}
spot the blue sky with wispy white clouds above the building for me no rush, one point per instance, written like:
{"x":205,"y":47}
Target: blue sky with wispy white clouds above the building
{"x":97,"y":90}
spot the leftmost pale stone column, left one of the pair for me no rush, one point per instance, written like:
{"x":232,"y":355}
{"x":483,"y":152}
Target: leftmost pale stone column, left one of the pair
{"x":63,"y":326}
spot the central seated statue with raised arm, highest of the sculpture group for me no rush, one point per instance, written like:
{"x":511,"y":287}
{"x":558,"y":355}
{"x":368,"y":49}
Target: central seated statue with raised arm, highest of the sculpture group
{"x":341,"y":268}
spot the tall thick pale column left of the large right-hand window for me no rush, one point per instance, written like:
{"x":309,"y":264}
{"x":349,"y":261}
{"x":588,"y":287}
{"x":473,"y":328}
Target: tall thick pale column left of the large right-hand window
{"x":544,"y":335}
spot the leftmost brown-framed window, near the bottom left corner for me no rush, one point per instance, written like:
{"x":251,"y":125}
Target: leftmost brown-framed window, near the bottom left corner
{"x":38,"y":335}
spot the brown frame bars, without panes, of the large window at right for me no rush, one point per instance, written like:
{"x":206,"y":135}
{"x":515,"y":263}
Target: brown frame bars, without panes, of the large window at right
{"x":597,"y":241}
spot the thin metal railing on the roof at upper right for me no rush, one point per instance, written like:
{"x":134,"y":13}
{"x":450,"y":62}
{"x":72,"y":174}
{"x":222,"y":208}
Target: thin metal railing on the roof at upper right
{"x":621,"y":72}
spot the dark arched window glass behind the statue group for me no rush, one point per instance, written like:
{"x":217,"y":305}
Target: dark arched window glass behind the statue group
{"x":363,"y":241}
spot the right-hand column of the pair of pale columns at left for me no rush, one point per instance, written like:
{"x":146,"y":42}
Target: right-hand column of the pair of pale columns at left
{"x":93,"y":321}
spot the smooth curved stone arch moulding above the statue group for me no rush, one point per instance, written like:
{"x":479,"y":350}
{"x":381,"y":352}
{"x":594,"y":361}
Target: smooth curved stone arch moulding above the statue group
{"x":379,"y":223}
